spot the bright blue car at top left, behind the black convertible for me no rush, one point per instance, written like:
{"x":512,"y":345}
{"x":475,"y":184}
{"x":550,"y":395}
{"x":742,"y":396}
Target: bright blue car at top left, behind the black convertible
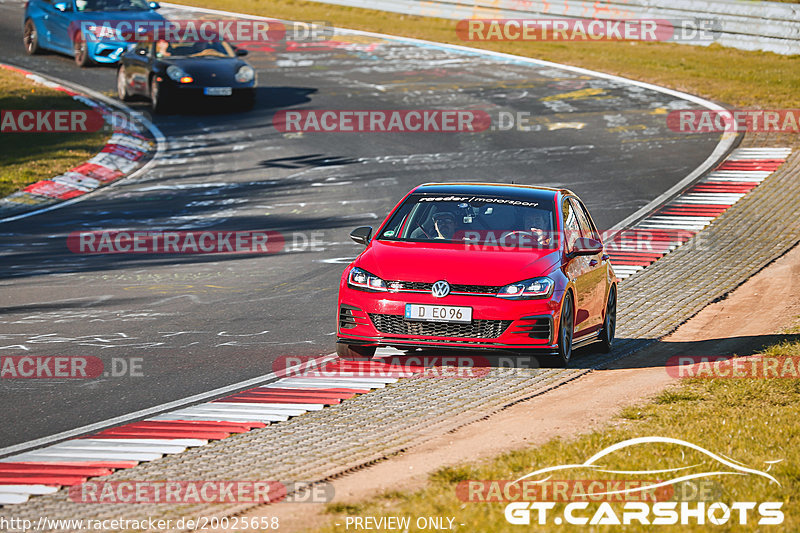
{"x":80,"y":27}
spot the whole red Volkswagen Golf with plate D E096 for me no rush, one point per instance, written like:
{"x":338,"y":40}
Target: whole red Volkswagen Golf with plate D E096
{"x":479,"y":266}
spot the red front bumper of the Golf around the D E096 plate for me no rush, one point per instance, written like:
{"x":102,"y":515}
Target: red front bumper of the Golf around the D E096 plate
{"x":377,"y":319}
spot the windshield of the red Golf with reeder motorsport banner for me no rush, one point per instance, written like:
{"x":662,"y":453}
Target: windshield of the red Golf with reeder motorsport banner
{"x":488,"y":220}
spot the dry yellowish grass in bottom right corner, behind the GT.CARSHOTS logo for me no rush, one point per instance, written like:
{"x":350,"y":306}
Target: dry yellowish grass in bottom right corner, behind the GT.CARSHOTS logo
{"x":749,"y":420}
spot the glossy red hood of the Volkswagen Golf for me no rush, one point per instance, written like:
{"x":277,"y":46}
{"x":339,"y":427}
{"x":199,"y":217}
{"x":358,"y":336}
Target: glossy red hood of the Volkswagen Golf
{"x":429,"y":262}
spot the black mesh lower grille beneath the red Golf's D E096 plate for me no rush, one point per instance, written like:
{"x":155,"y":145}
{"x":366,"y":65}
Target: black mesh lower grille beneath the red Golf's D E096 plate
{"x":479,"y":329}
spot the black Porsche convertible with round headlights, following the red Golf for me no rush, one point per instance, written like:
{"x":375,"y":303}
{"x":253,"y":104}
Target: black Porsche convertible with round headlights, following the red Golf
{"x":169,"y":73}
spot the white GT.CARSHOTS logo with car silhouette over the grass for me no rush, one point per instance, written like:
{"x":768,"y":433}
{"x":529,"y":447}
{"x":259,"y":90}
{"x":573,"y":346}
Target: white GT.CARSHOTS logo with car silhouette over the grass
{"x":600,"y":502}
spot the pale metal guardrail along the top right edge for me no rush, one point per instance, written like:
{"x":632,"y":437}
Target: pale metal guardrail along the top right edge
{"x":747,"y":25}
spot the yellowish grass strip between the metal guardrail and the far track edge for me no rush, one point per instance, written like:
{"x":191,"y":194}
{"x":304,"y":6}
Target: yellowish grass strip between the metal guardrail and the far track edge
{"x":738,"y":78}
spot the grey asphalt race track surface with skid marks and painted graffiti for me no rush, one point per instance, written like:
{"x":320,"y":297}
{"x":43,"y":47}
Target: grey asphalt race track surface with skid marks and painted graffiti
{"x":198,"y":322}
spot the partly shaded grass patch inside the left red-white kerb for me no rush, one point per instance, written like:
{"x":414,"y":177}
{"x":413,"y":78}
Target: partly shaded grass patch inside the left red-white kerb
{"x":29,"y":157}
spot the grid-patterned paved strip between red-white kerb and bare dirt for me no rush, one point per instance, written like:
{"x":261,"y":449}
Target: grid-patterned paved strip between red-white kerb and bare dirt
{"x":324,"y":444}
